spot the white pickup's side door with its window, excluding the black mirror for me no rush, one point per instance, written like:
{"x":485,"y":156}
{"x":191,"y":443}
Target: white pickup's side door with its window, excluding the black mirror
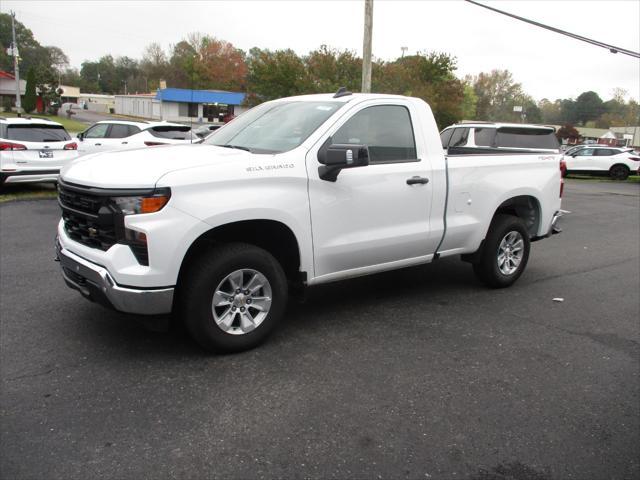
{"x":371,"y":216}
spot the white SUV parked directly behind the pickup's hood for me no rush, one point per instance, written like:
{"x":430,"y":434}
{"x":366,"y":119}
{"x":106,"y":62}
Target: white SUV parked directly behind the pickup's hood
{"x":121,"y":135}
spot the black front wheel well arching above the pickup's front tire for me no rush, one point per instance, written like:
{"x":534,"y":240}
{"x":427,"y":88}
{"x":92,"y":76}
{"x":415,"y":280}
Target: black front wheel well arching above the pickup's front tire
{"x":275,"y":237}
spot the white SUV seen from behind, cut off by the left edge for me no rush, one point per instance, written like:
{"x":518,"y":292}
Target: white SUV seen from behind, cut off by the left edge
{"x":33,"y":150}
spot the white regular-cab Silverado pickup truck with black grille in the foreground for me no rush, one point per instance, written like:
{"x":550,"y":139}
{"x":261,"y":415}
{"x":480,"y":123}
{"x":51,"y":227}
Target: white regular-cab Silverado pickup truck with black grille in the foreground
{"x":296,"y":192}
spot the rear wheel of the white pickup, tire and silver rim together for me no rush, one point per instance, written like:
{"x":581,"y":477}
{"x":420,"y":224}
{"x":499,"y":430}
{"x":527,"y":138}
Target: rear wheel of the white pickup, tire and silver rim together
{"x":505,"y":252}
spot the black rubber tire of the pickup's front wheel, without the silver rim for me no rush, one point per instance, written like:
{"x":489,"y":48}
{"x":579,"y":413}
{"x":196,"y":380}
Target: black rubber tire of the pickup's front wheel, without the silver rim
{"x":203,"y":279}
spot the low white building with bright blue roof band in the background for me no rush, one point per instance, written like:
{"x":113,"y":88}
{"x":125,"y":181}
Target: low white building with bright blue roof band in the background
{"x":182,"y":105}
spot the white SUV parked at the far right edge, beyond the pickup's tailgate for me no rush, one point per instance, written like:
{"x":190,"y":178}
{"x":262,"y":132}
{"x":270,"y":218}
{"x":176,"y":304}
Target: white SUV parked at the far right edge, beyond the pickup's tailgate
{"x":616,"y":162}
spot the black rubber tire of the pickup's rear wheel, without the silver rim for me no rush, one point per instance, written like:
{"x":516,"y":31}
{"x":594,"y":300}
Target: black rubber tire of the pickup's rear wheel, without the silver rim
{"x":487,"y":268}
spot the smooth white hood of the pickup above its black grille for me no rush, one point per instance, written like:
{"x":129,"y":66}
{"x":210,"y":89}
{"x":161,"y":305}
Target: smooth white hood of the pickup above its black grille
{"x":143,"y":167}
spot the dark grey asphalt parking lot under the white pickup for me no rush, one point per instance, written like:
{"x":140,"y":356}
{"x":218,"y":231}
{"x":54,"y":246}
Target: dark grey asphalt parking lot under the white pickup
{"x":420,"y":373}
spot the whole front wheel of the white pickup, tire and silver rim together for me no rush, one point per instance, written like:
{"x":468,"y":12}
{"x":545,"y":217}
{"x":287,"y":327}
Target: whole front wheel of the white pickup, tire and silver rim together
{"x":233,"y":297}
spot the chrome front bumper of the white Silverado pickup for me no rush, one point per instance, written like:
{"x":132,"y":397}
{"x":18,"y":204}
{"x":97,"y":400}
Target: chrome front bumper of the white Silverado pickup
{"x":95,"y":283}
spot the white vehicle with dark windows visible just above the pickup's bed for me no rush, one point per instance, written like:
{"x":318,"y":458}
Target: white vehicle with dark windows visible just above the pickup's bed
{"x":499,"y":137}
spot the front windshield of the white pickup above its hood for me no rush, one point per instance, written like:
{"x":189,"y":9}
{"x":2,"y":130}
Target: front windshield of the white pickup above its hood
{"x":274,"y":127}
